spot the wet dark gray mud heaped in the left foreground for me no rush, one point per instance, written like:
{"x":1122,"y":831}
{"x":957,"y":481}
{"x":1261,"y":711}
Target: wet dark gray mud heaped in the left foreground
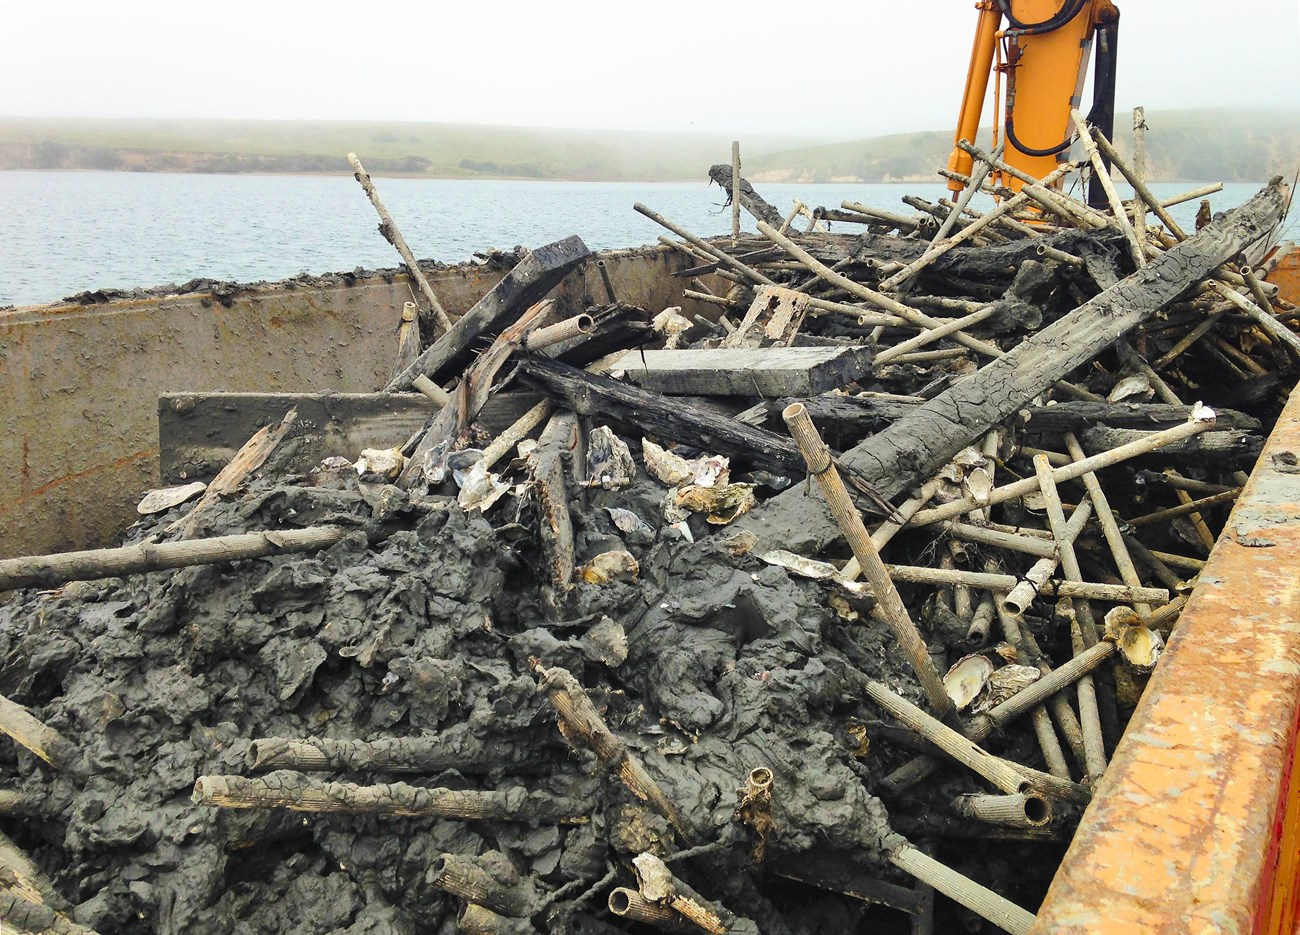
{"x":431,"y":630}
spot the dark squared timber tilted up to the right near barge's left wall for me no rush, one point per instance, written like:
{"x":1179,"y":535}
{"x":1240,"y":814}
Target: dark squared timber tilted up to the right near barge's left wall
{"x":531,"y":280}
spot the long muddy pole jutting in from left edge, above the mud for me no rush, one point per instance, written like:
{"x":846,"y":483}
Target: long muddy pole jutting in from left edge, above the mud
{"x":83,"y":566}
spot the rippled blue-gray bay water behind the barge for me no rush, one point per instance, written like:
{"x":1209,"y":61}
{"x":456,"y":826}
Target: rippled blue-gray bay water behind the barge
{"x":63,"y":233}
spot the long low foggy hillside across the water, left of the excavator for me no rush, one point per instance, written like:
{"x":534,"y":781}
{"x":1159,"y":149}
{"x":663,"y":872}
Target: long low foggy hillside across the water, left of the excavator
{"x":434,"y":150}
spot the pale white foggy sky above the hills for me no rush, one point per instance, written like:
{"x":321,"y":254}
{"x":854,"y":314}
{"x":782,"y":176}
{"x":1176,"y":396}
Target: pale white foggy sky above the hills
{"x":830,"y":71}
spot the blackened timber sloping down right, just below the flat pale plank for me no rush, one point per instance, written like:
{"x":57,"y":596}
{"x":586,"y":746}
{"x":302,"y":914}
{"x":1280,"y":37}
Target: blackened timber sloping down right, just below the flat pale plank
{"x":651,"y":413}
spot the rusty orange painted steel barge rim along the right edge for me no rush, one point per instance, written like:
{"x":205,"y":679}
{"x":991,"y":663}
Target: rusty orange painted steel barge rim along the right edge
{"x":1197,"y":825}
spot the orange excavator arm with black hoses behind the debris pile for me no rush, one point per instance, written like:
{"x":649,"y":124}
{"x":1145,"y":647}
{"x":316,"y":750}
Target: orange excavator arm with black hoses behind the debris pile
{"x":1046,"y":46}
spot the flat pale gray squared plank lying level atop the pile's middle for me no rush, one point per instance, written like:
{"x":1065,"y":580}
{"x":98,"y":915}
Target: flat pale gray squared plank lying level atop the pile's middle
{"x":747,"y":371}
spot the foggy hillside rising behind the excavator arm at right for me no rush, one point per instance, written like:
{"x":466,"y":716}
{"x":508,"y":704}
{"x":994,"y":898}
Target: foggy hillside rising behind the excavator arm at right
{"x":1208,"y":145}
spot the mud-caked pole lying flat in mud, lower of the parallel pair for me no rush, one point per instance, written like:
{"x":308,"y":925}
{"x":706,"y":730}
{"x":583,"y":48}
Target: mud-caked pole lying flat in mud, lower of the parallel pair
{"x":297,"y":793}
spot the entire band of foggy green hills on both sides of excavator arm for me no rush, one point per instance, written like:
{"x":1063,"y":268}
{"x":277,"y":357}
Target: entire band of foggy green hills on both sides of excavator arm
{"x":1208,"y":145}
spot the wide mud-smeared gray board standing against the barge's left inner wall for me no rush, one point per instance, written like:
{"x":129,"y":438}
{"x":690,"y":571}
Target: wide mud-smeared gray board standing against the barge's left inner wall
{"x":201,"y":432}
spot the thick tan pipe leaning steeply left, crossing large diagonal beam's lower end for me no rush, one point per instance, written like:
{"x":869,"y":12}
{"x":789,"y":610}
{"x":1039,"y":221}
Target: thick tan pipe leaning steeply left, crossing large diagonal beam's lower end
{"x":822,"y":467}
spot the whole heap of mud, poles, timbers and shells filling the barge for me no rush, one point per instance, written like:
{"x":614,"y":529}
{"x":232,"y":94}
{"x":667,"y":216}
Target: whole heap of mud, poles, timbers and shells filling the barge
{"x":623,"y":676}
